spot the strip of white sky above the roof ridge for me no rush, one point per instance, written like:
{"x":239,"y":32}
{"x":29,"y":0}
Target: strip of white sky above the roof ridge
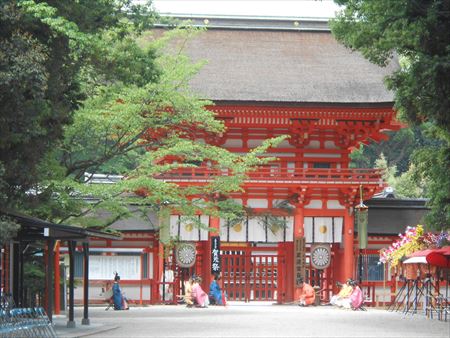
{"x":280,"y":8}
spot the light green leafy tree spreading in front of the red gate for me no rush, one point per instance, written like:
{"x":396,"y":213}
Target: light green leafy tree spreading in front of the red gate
{"x":148,"y":124}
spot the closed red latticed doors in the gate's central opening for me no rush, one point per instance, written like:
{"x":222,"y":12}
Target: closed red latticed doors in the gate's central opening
{"x":252,"y":274}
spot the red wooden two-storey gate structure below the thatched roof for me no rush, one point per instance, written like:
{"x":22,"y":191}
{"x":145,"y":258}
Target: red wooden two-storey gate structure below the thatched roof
{"x":312,"y":174}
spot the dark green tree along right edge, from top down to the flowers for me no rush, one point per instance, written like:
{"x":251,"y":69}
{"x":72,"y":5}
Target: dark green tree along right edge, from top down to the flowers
{"x":418,"y":32}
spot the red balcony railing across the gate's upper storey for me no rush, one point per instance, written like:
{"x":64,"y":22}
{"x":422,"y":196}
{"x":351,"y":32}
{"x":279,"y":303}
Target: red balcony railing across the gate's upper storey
{"x":281,"y":175}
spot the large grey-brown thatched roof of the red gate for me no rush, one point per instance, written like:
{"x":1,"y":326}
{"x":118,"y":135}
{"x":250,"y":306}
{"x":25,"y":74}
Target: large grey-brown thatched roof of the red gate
{"x":280,"y":65}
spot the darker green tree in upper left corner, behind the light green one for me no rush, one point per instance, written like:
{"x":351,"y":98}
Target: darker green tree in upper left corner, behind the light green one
{"x":49,"y":54}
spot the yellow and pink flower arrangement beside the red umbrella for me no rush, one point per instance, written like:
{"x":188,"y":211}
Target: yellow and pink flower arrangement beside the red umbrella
{"x":414,"y":239}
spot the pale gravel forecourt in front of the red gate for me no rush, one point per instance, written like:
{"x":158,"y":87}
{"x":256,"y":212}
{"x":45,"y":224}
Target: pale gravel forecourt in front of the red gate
{"x":252,"y":320}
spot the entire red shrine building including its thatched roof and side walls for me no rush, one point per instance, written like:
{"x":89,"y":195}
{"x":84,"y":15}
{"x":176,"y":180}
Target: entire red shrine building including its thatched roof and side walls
{"x":270,"y":77}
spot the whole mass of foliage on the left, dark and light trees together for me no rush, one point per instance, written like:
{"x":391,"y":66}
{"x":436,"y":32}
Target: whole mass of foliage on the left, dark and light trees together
{"x":121,"y":104}
